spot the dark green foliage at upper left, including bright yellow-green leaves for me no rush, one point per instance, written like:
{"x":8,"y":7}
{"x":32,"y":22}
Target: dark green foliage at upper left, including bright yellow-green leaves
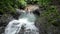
{"x":10,"y":5}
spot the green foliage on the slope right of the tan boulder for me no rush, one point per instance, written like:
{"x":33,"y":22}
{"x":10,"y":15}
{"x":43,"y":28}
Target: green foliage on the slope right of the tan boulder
{"x":50,"y":12}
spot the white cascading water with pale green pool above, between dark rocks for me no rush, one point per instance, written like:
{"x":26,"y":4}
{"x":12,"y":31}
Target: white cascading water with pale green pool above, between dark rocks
{"x":26,"y":20}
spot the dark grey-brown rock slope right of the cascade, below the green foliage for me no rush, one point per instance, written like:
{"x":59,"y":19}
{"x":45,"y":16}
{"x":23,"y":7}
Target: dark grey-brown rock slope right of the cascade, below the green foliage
{"x":46,"y":27}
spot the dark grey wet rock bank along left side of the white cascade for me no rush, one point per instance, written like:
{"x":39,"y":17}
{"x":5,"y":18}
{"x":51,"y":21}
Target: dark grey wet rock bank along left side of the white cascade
{"x":4,"y":20}
